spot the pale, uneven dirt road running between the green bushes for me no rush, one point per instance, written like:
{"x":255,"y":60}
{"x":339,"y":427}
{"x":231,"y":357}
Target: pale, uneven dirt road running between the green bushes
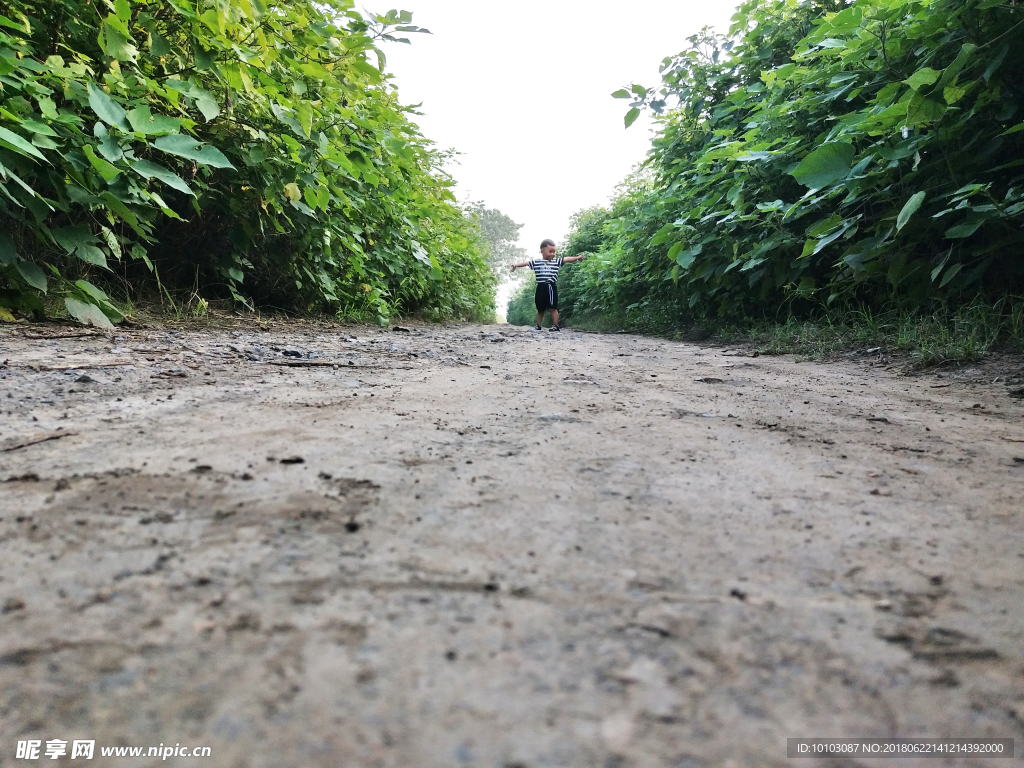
{"x":484,"y":546}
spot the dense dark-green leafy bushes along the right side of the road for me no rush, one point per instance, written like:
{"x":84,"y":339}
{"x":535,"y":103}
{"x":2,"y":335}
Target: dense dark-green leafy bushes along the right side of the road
{"x":827,"y":175}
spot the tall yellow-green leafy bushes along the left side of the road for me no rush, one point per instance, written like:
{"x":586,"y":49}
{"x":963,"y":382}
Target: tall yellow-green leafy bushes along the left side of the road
{"x":206,"y":151}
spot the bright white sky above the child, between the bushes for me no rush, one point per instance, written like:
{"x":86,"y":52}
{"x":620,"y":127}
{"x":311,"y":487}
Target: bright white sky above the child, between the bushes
{"x":523,"y":91}
